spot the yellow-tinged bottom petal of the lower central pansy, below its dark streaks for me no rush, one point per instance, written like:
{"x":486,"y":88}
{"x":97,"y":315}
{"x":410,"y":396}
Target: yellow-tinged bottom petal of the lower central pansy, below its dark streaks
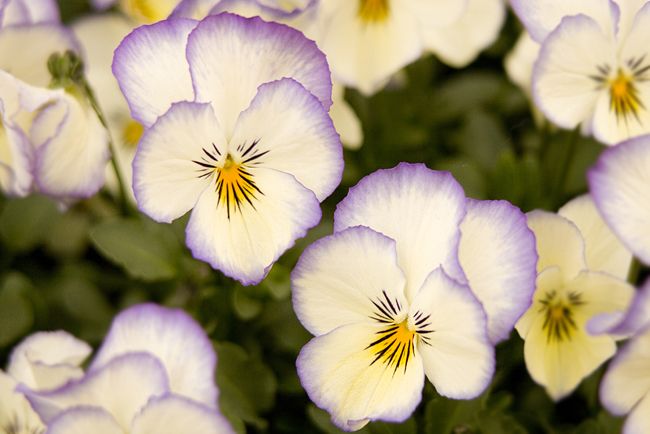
{"x":337,"y":372}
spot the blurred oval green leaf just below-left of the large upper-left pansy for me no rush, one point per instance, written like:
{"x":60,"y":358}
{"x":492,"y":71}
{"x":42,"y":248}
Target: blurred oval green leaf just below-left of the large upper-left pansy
{"x":146,"y":250}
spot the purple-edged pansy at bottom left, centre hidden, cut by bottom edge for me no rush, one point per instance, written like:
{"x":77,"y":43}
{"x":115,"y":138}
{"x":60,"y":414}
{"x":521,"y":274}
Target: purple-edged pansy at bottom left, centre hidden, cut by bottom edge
{"x":153,"y":374}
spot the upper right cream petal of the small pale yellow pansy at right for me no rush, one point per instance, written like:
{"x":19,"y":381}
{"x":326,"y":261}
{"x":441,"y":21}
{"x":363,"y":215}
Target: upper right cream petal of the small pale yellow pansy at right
{"x":604,"y":252}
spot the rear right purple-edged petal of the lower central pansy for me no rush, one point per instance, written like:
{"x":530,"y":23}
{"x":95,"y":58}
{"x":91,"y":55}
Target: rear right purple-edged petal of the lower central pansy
{"x":497,"y":252}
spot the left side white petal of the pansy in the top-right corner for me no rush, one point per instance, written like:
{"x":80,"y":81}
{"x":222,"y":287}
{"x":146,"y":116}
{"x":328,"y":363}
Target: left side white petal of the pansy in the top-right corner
{"x":562,"y":85}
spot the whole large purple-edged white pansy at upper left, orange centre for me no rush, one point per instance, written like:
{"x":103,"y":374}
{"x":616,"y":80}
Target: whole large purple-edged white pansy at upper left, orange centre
{"x":256,"y":151}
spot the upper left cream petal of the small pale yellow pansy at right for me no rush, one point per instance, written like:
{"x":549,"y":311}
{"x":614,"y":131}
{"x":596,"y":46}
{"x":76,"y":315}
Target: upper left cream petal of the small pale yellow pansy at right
{"x":559,"y":243}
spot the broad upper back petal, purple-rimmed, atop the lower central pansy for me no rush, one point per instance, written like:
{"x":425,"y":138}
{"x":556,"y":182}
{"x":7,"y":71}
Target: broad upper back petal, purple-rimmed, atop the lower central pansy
{"x":419,"y":208}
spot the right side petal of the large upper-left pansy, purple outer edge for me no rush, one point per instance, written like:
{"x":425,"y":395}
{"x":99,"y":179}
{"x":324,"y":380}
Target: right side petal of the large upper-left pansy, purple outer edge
{"x":296,"y":134}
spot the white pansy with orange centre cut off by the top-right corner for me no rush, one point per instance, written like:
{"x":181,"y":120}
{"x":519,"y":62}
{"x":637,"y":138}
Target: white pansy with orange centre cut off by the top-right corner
{"x":605,"y":90}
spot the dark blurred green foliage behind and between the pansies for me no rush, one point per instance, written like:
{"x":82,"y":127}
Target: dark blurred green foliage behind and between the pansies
{"x":75,"y":269}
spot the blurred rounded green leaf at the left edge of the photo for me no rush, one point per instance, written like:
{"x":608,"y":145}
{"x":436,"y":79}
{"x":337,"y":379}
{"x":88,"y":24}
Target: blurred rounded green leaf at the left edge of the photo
{"x":24,"y":223}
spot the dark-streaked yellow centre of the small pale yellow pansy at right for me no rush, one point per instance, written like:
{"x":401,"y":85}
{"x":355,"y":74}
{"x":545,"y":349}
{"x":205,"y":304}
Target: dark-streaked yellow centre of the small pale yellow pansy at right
{"x":559,"y":322}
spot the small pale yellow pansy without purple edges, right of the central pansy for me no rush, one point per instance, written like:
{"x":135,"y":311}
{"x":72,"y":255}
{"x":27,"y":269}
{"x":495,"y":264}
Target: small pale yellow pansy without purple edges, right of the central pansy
{"x":582,"y":269}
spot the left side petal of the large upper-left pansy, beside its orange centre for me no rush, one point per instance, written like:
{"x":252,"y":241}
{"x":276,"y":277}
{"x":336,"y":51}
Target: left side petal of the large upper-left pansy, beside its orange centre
{"x":167,"y":179}
